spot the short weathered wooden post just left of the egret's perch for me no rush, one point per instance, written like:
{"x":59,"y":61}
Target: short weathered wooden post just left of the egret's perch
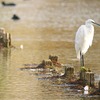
{"x":69,"y":72}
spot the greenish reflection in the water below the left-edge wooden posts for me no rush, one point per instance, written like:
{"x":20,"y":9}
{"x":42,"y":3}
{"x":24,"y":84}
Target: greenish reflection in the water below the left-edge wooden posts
{"x":4,"y":65}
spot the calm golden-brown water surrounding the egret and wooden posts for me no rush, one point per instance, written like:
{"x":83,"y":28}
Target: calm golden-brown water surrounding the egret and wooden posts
{"x":46,"y":27}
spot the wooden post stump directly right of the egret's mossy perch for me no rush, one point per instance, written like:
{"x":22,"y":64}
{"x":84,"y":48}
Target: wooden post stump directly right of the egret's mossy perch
{"x":89,"y":77}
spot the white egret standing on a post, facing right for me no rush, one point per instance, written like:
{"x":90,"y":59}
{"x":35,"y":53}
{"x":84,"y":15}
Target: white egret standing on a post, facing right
{"x":84,"y":38}
